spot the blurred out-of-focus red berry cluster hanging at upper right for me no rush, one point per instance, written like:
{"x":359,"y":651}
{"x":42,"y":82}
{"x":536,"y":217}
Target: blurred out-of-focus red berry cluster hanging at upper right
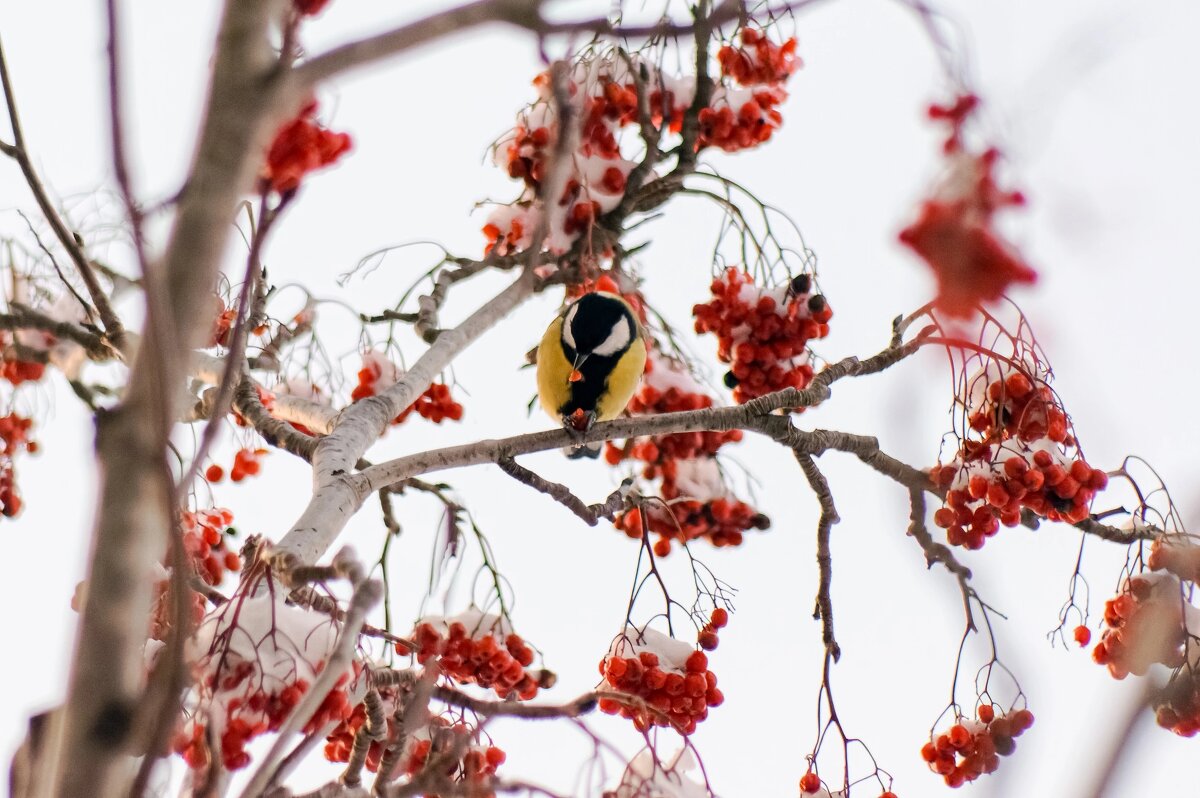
{"x":955,"y":232}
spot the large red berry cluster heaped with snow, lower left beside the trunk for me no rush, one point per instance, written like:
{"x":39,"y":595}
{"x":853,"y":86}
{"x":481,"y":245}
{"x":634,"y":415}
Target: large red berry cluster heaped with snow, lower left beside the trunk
{"x":256,"y":657}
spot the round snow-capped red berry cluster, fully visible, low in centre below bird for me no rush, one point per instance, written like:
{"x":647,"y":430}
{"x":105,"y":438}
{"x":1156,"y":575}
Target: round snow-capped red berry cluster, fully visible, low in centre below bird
{"x":670,"y":681}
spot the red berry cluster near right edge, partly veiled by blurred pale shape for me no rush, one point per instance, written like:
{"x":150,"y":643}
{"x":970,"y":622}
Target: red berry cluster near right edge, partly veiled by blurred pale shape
{"x":1145,"y":625}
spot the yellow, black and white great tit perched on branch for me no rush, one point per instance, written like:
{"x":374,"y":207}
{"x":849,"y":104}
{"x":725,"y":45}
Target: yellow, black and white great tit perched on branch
{"x":590,"y":363}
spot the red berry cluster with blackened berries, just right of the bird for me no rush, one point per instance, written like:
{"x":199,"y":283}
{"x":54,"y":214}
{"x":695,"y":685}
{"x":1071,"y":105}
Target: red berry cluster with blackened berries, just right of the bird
{"x":764,"y":333}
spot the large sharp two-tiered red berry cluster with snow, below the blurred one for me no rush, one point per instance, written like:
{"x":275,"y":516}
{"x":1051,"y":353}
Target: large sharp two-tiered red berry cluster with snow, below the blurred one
{"x":1024,"y":457}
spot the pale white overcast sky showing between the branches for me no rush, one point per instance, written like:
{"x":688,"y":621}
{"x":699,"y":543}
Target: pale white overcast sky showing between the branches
{"x":1094,"y":103}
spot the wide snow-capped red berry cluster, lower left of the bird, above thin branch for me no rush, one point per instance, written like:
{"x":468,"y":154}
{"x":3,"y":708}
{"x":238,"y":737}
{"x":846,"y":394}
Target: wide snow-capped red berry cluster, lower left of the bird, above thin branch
{"x":475,"y":649}
